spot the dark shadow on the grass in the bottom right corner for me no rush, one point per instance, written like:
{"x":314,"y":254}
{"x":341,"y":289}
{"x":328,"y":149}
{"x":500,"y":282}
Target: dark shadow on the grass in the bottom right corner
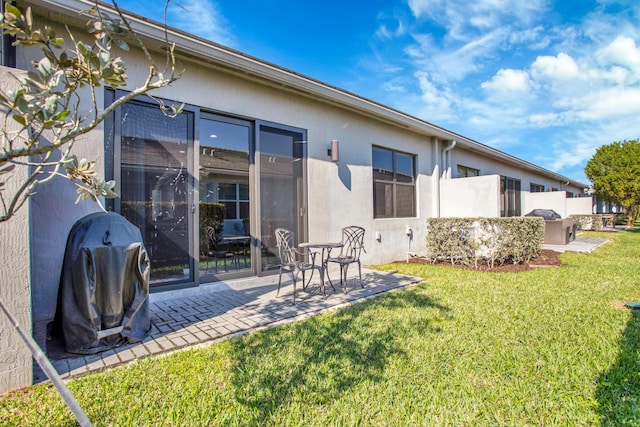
{"x":618,"y":391}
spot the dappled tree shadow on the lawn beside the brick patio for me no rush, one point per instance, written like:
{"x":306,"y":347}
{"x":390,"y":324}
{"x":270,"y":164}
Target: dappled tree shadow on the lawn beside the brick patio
{"x":322,"y":359}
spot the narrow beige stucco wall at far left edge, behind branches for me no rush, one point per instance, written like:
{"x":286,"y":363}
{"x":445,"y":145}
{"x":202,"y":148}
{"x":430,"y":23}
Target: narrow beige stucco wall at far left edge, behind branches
{"x":15,"y":293}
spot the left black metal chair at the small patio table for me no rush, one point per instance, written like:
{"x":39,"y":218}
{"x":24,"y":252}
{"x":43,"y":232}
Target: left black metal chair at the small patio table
{"x":290,"y":260}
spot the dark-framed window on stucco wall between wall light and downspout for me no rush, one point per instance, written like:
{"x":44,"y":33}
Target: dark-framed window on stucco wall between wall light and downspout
{"x":394,"y":184}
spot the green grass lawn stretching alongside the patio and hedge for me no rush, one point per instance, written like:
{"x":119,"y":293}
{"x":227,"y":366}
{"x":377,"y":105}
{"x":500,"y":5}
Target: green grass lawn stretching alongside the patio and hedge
{"x":550,"y":346}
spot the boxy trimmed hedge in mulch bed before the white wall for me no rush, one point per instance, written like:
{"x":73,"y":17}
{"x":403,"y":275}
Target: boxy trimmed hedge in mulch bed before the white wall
{"x":469,"y":241}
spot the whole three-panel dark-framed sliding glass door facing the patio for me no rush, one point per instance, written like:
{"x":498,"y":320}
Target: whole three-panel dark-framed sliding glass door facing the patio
{"x":208,"y":191}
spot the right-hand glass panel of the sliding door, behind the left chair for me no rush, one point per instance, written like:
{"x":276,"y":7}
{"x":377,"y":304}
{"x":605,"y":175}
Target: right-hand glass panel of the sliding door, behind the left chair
{"x":282,"y":191}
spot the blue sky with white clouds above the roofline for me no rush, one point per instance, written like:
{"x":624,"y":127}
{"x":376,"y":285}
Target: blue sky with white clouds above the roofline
{"x":548,"y":82}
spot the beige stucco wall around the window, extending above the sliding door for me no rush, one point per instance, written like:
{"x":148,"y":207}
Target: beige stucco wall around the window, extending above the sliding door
{"x":339,"y":194}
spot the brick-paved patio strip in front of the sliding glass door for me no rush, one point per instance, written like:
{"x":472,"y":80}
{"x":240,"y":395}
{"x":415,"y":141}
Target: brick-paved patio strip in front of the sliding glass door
{"x":199,"y":316}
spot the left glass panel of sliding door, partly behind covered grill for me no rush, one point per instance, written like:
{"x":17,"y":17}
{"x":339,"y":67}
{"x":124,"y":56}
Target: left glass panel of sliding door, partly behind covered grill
{"x":155,"y":192}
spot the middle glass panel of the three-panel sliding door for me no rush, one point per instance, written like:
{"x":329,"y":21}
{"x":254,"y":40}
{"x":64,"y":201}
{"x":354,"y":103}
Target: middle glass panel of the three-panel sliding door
{"x":224,"y":228}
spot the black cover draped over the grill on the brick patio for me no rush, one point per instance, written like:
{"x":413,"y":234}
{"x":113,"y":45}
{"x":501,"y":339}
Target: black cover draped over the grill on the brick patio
{"x":104,"y":284}
